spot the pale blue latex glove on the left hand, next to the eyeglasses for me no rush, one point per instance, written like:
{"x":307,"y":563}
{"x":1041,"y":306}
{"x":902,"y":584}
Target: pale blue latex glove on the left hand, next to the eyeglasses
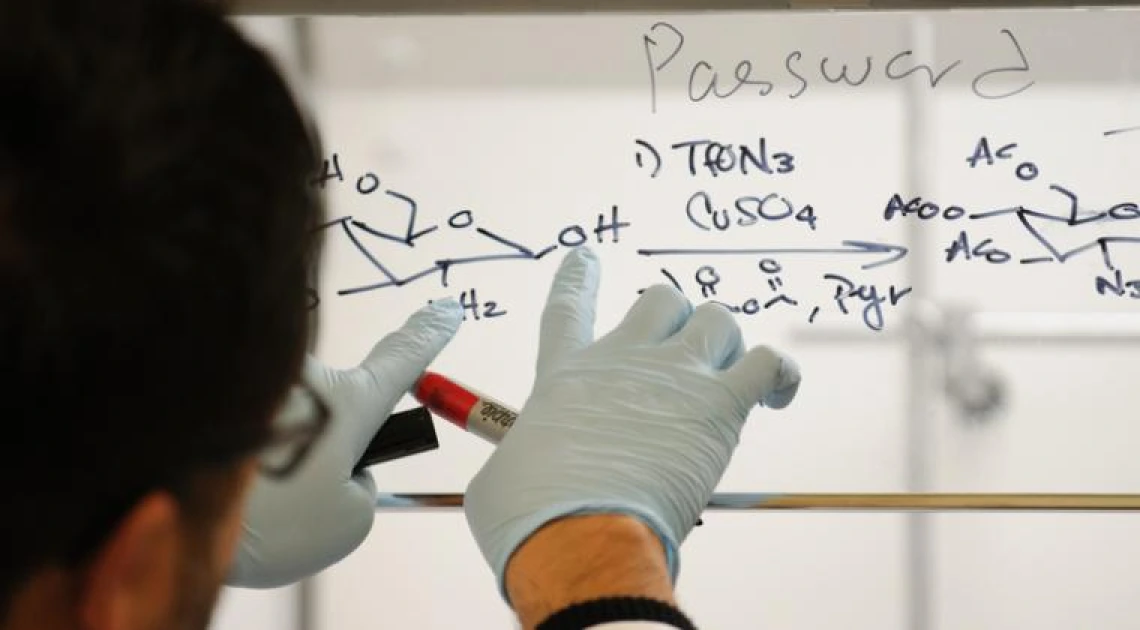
{"x":303,"y":525}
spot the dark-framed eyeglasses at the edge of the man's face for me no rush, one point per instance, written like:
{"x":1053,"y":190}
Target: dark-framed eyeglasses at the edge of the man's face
{"x":304,"y":419}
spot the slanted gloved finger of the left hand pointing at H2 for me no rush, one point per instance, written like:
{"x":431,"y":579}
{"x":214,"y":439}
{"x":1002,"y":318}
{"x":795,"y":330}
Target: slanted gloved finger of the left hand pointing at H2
{"x":398,"y":361}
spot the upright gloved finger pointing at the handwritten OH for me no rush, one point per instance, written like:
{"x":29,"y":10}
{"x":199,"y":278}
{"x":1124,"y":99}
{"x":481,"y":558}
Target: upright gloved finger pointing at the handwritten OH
{"x":568,"y":318}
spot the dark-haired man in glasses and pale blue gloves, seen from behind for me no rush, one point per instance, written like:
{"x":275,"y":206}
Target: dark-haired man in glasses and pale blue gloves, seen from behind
{"x":157,"y":232}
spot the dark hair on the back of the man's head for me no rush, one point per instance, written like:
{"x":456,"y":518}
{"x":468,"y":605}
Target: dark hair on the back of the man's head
{"x":157,"y":233}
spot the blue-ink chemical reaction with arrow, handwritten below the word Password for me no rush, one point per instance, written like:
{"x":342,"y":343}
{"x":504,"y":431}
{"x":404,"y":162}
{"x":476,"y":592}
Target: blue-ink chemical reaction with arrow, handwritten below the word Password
{"x":851,"y":294}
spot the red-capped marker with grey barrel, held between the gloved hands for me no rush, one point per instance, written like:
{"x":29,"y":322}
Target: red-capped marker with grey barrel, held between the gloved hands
{"x":465,"y":408}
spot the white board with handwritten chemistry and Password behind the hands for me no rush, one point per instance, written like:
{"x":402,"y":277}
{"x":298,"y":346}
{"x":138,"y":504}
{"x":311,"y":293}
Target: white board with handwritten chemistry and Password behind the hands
{"x":852,"y":185}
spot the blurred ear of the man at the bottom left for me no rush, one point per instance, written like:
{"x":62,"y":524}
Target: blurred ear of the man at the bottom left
{"x":131,"y":583}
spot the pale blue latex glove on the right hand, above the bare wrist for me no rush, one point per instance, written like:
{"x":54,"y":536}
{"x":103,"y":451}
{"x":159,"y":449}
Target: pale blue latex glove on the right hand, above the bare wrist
{"x":642,"y":422}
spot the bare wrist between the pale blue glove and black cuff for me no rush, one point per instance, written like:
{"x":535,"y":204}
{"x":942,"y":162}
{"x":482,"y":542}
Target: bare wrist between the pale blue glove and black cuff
{"x":587,"y":558}
